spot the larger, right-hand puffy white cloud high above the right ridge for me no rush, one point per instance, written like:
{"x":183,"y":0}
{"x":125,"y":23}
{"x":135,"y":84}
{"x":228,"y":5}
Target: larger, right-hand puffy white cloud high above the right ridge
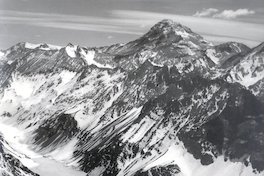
{"x":231,"y":14}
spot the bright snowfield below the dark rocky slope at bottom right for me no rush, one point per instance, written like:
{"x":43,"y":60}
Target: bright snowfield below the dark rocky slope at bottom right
{"x":190,"y":166}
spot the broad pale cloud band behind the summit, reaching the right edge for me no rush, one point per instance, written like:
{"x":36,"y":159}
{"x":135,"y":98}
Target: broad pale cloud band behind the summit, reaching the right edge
{"x":225,"y":30}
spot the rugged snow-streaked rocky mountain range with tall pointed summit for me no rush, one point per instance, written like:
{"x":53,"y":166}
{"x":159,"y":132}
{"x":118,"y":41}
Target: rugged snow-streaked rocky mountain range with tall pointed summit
{"x":169,"y":103}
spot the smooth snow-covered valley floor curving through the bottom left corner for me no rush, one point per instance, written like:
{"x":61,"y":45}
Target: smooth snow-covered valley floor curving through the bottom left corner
{"x":37,"y":163}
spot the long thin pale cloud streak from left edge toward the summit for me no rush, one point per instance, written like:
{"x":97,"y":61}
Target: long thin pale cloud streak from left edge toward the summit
{"x":69,"y":22}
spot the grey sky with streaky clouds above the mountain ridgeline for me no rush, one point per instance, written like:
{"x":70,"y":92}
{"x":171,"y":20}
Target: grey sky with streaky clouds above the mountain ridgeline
{"x":104,"y":22}
